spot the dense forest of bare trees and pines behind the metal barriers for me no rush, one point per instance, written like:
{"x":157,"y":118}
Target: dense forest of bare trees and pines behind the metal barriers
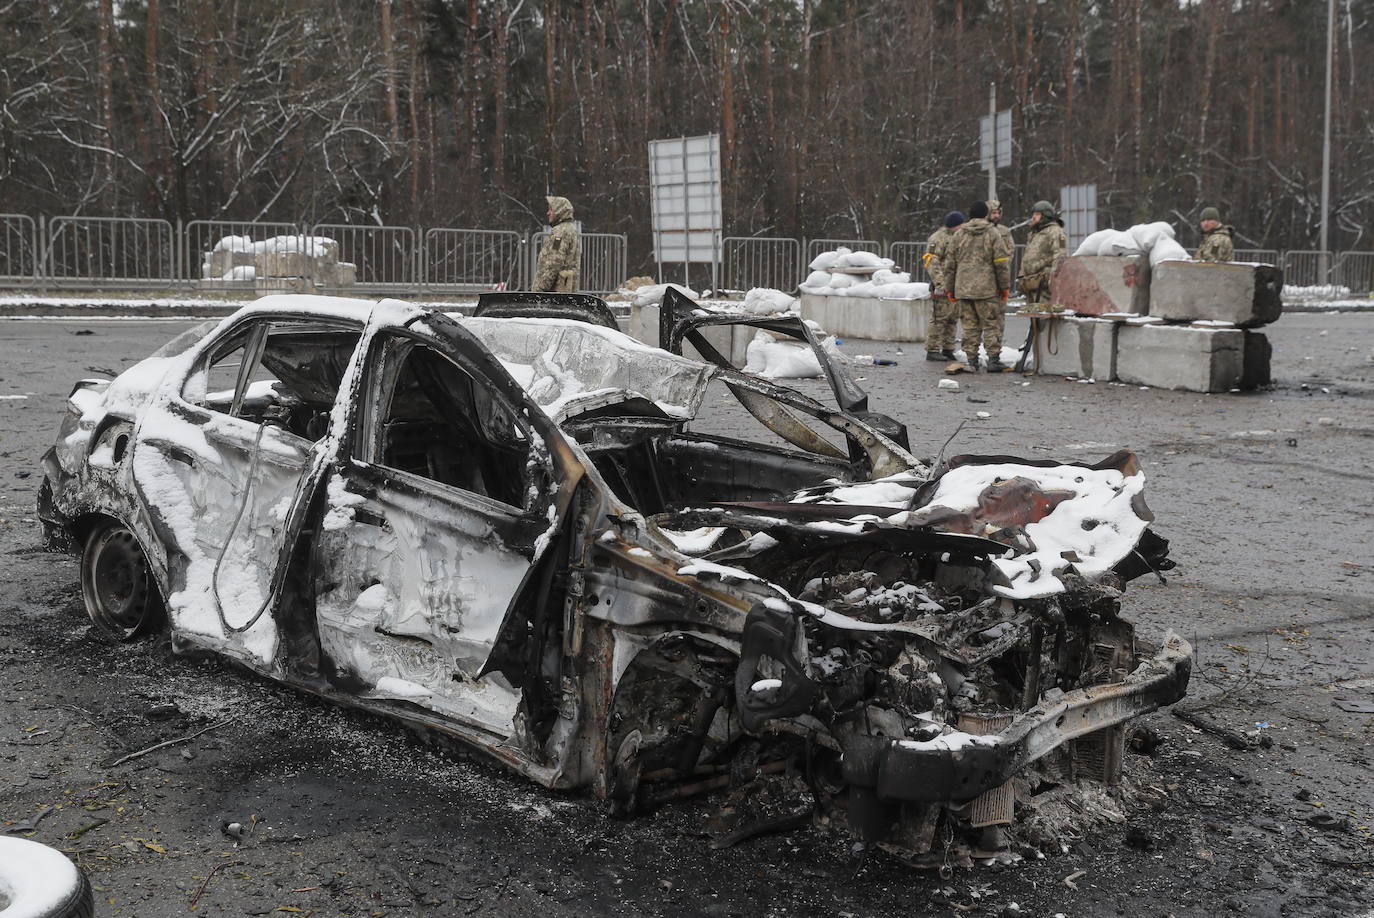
{"x":837,"y":117}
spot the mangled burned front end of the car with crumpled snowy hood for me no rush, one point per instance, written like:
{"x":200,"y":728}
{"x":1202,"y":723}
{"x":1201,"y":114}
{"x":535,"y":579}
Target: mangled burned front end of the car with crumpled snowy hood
{"x":934,"y":659}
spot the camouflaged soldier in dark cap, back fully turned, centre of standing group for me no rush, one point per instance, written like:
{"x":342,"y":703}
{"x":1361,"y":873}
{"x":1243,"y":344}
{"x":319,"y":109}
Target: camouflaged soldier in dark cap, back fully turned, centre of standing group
{"x":978,"y":273}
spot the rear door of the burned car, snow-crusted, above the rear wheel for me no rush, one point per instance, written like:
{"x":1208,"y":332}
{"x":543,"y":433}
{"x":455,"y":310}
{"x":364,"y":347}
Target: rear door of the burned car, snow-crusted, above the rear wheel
{"x":222,"y":461}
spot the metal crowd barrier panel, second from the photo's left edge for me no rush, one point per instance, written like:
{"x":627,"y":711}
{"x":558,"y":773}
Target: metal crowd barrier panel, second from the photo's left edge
{"x":122,"y":252}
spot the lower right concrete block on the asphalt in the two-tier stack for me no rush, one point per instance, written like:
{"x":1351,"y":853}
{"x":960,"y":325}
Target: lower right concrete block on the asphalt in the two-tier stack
{"x":1181,"y":357}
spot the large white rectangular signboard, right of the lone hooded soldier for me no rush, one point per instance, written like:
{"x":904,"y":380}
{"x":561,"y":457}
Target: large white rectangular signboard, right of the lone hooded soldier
{"x":685,"y":199}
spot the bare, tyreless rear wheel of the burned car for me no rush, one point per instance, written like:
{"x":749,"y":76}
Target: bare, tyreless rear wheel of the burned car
{"x":117,"y":583}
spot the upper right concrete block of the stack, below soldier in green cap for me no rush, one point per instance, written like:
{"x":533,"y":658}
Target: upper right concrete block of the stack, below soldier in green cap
{"x":1244,"y":295}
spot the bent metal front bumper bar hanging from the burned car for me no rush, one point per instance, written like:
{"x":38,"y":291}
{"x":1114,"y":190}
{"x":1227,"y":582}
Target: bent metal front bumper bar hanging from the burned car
{"x":960,"y":768}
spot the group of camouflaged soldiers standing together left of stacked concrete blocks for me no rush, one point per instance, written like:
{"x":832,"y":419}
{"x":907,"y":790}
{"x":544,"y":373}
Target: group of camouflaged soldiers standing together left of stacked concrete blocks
{"x":969,"y":260}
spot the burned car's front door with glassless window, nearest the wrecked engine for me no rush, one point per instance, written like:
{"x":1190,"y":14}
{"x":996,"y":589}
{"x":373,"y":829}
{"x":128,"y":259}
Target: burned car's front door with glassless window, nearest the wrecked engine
{"x":433,"y":524}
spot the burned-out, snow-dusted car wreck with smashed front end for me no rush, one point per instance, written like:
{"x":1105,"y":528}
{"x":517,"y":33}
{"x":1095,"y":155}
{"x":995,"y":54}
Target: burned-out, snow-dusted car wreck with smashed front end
{"x":520,"y":531}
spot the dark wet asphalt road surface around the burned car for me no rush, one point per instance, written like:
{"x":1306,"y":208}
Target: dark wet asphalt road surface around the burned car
{"x":1265,"y":498}
